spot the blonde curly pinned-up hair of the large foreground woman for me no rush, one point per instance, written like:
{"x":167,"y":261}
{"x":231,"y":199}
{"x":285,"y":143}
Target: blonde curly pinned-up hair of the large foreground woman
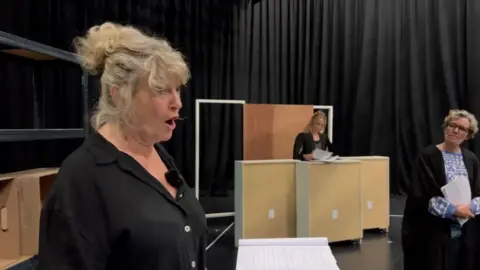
{"x":122,"y":55}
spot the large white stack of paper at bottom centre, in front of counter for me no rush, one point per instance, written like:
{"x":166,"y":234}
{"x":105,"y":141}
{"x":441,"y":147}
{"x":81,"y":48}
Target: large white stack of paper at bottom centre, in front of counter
{"x":285,"y":254}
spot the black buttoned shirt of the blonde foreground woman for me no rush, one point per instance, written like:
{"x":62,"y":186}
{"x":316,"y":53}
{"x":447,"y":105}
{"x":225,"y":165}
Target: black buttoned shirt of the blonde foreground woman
{"x":105,"y":211}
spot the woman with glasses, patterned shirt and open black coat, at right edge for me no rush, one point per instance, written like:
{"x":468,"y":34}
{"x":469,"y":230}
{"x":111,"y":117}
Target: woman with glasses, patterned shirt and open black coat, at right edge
{"x":432,"y":237}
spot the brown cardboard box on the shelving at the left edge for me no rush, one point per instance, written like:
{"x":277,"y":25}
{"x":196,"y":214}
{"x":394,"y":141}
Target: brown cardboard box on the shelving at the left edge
{"x":21,"y":197}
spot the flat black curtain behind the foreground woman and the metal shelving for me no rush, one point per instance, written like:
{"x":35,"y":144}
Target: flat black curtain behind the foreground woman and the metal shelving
{"x":201,"y":30}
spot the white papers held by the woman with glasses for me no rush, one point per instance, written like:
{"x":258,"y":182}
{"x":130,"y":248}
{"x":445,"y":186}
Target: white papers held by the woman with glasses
{"x":458,"y":192}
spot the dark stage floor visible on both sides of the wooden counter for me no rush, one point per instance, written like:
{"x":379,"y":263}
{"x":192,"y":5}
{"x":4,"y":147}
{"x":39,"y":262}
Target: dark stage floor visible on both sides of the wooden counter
{"x":379,"y":251}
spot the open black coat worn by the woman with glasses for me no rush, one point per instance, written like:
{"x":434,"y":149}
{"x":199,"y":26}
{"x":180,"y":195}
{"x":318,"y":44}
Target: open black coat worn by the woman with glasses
{"x":425,"y":237}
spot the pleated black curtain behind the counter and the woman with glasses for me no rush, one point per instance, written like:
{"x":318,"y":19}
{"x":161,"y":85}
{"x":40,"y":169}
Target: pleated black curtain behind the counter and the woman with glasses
{"x":392,"y":69}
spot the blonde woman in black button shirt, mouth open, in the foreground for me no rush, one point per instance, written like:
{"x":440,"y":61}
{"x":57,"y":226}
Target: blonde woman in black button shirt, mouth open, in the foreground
{"x":119,"y":202}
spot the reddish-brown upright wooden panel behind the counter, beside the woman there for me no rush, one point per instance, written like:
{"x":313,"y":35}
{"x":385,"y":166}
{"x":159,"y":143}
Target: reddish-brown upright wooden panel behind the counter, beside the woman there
{"x":269,"y":130}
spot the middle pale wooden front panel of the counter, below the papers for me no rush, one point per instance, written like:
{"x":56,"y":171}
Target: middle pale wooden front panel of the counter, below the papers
{"x":335,"y":208}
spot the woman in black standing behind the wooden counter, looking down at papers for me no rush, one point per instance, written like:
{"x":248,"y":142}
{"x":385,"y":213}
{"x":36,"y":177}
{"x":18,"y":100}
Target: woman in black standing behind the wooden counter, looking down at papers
{"x":313,"y":137}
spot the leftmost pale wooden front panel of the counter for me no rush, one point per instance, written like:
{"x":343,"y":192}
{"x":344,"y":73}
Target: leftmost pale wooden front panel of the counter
{"x":269,"y":204}
